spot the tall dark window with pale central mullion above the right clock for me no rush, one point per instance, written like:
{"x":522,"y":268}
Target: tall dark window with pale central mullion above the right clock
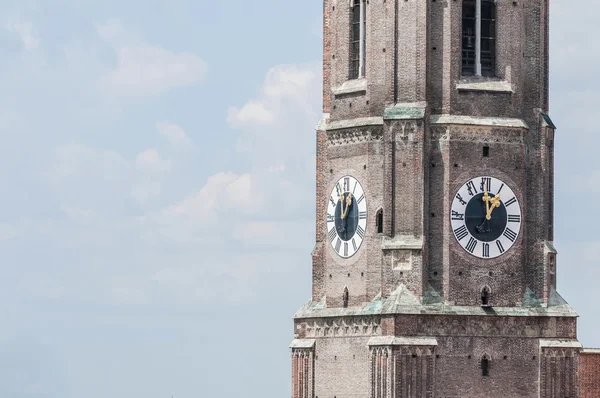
{"x":486,"y":64}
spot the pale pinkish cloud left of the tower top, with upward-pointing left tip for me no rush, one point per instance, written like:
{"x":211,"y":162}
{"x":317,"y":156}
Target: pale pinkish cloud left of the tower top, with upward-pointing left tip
{"x":143,"y":69}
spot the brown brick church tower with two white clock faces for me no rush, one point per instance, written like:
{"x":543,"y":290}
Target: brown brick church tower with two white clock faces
{"x":434,"y":270}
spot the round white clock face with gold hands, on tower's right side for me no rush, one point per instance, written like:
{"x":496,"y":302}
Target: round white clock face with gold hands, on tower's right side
{"x":486,"y":217}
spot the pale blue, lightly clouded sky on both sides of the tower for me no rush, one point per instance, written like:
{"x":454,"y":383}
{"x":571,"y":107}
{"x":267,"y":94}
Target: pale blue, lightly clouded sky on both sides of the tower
{"x":157,"y":162}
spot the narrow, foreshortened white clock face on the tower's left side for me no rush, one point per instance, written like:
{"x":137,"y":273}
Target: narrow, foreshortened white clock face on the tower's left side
{"x":347,"y":216}
